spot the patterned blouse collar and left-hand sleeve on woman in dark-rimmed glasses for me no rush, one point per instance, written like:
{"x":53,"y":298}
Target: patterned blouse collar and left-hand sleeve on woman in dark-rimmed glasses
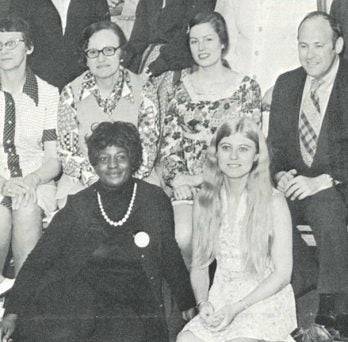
{"x":75,"y":164}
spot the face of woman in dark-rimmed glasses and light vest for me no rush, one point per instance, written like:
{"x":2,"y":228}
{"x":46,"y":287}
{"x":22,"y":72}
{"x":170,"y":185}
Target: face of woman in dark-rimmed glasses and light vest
{"x":104,"y":67}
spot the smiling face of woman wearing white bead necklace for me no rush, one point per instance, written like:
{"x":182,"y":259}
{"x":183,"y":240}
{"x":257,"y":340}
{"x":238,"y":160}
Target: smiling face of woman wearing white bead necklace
{"x":113,"y":166}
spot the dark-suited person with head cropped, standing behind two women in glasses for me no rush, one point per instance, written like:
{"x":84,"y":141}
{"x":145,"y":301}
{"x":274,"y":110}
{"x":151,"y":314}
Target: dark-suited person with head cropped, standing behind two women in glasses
{"x":56,"y":26}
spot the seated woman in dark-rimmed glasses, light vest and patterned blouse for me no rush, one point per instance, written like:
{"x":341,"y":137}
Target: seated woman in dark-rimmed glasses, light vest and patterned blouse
{"x":105,"y":92}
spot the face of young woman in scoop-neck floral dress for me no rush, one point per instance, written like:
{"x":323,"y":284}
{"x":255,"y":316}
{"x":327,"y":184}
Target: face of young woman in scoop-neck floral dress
{"x":205,"y":45}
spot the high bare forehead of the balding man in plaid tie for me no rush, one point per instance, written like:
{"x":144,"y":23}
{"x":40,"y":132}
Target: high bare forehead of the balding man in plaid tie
{"x":315,"y":29}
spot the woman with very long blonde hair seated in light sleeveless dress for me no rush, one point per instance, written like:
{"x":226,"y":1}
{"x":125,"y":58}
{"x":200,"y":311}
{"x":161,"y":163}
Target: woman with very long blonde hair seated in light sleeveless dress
{"x":245,"y":224}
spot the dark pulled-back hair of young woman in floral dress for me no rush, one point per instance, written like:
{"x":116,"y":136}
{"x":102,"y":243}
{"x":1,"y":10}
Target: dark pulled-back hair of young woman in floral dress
{"x":218,"y":23}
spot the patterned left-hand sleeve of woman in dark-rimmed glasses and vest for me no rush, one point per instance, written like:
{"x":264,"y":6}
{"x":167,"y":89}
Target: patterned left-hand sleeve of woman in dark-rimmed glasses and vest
{"x":74,"y":164}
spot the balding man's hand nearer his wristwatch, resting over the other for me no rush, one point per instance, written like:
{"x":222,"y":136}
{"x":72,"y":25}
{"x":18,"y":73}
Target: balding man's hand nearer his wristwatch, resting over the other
{"x":301,"y":187}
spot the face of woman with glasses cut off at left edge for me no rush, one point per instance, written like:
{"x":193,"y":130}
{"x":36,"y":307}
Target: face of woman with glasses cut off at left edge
{"x":16,"y":58}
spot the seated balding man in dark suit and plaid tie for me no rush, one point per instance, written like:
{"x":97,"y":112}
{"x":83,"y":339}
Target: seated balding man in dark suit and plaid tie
{"x":308,"y":136}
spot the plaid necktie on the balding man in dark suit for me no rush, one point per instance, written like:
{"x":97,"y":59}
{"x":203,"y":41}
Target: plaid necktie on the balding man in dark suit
{"x":309,"y":124}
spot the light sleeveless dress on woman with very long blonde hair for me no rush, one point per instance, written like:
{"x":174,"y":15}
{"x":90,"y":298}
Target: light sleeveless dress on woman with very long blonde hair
{"x":272,"y":319}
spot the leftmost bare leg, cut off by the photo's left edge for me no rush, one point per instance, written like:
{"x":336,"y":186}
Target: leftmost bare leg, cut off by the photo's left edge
{"x":5,"y":233}
